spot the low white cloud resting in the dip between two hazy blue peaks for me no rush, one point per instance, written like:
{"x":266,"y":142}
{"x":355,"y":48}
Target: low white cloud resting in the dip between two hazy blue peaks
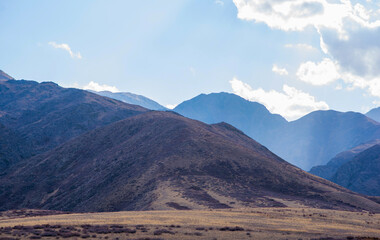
{"x":291,"y":103}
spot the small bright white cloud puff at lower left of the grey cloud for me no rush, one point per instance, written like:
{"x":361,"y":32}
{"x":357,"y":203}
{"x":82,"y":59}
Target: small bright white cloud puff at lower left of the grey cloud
{"x":321,"y":73}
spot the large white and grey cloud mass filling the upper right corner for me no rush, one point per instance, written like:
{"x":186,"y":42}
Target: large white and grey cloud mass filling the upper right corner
{"x":349,"y":33}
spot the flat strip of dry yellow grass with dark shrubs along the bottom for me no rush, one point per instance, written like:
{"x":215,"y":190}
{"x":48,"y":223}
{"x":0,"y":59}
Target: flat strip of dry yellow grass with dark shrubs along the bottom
{"x":252,"y":223}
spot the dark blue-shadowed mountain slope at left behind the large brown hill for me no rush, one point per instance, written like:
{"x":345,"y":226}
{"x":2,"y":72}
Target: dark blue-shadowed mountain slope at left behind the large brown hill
{"x":47,"y":115}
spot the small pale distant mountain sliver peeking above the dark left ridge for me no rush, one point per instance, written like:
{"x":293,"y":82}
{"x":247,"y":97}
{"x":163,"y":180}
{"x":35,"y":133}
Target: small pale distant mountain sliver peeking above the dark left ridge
{"x":132,"y":98}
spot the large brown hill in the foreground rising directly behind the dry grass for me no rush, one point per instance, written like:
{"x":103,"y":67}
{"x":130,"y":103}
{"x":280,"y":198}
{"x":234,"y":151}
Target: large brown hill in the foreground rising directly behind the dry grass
{"x":160,"y":160}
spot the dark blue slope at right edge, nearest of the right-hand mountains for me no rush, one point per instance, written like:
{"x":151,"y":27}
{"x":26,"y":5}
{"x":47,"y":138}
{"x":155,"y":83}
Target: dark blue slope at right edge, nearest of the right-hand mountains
{"x":361,"y":174}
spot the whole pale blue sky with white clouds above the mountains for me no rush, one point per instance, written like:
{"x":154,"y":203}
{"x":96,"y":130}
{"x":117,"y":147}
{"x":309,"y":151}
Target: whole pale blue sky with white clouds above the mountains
{"x":293,"y":56}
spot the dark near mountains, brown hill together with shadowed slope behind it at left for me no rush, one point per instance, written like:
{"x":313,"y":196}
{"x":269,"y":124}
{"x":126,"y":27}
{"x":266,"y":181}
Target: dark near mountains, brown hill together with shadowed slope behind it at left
{"x":84,"y":152}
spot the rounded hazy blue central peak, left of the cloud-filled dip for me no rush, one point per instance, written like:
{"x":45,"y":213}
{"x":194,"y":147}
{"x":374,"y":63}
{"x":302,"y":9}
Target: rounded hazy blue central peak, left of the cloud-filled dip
{"x":250,"y":117}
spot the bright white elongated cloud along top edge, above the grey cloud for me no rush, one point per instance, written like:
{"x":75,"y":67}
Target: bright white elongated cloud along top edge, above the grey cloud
{"x":296,"y":15}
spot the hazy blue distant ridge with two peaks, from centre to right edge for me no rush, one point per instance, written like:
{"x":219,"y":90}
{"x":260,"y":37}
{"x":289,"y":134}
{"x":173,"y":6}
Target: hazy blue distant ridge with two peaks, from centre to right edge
{"x":309,"y":141}
